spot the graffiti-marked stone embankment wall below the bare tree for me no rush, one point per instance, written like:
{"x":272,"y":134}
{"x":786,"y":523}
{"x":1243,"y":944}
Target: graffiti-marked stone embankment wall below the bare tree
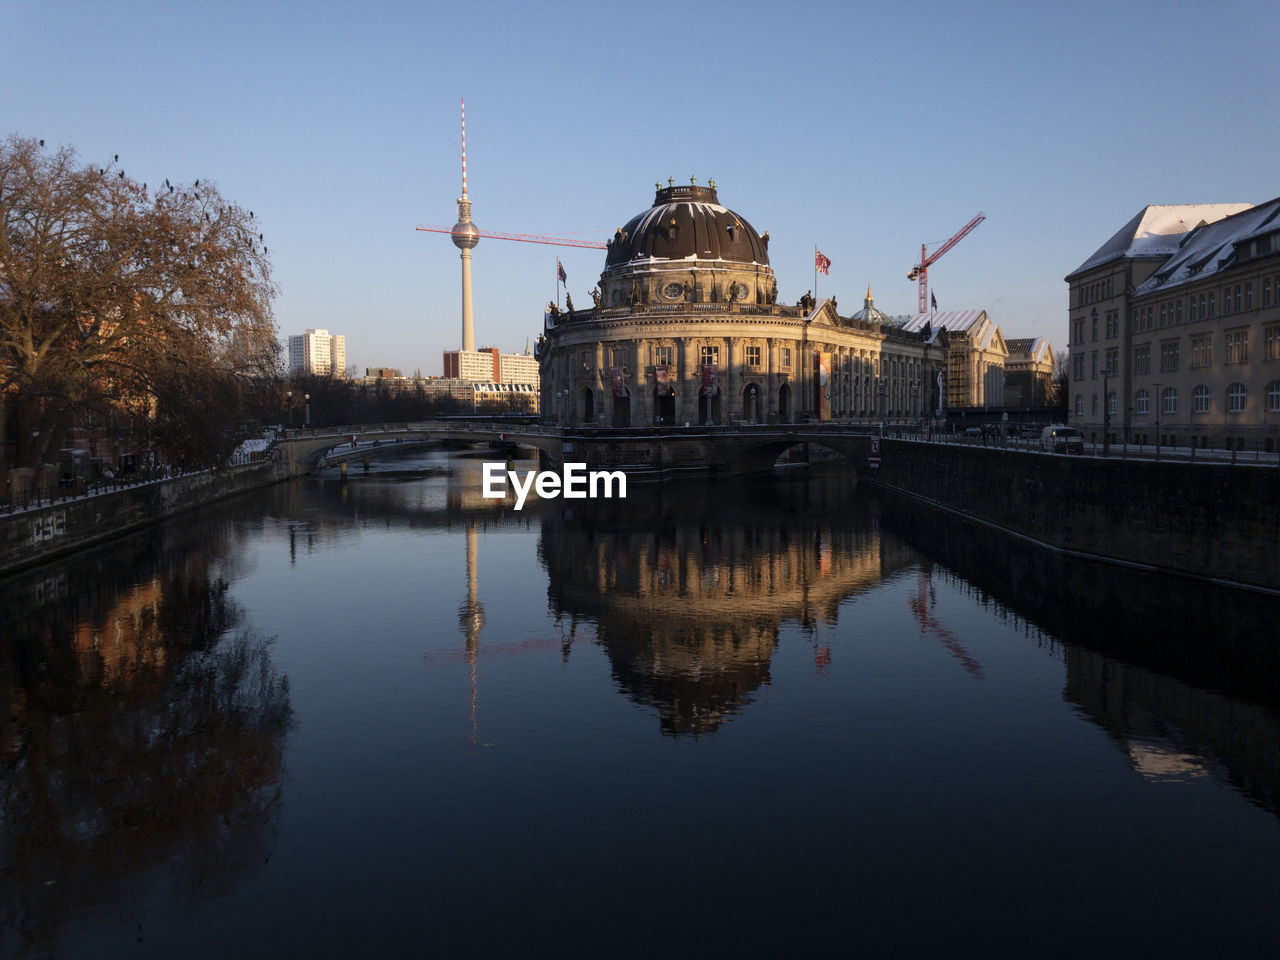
{"x":33,"y":537}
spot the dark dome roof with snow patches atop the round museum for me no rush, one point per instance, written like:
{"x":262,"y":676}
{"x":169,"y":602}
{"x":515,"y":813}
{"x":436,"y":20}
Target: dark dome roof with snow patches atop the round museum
{"x":688,"y":223}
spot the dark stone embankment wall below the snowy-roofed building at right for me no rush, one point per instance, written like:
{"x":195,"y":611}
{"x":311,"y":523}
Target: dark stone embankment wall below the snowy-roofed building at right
{"x":1209,"y":520}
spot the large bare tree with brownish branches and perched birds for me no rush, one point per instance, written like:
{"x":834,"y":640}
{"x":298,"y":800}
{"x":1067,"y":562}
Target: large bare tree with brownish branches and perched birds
{"x":144,"y":308}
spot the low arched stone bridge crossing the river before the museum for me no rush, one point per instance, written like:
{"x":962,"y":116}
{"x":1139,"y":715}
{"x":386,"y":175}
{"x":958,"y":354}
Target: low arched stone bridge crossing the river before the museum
{"x":638,"y":451}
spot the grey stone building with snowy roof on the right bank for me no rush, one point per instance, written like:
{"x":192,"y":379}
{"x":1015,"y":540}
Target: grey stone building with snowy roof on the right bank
{"x":1176,"y":330}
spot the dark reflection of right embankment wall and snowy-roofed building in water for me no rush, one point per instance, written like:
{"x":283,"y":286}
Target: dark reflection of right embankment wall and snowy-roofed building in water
{"x":1183,"y":675}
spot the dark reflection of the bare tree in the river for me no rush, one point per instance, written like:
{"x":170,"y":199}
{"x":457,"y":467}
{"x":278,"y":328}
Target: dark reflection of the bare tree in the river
{"x":143,"y":738}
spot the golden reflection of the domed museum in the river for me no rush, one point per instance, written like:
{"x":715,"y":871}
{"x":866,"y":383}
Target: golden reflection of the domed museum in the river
{"x":689,"y":586}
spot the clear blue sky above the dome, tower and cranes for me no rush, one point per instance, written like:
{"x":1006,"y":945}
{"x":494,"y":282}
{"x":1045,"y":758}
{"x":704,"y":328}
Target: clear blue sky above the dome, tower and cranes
{"x":865,"y":130}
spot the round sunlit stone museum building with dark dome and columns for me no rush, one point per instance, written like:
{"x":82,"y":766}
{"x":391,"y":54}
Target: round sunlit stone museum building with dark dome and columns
{"x":687,"y":330}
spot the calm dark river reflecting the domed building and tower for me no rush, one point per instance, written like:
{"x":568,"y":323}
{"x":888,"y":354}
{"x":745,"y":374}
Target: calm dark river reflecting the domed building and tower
{"x":783,"y":717}
